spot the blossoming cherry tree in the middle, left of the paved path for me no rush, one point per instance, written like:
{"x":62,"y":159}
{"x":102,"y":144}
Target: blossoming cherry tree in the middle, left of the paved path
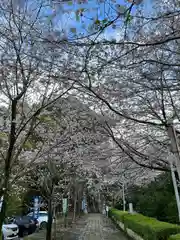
{"x":65,"y":148}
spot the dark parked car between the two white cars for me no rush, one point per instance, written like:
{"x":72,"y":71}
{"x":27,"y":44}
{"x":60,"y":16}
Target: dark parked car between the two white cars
{"x":26,"y":225}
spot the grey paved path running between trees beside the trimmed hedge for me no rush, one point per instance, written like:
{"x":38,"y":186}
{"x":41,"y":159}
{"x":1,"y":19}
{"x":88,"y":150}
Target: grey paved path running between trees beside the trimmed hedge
{"x":97,"y":227}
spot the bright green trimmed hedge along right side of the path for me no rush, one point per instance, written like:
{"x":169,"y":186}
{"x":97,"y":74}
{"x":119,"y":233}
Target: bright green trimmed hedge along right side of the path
{"x":146,"y":227}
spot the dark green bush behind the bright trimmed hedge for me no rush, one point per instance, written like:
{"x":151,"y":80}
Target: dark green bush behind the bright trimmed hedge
{"x":155,"y":199}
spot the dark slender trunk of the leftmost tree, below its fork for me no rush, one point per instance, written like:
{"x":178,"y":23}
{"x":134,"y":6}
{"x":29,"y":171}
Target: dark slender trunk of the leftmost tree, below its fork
{"x":8,"y":160}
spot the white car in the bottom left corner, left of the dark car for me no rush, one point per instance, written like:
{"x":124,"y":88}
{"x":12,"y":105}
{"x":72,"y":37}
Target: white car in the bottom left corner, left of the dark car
{"x":10,"y":231}
